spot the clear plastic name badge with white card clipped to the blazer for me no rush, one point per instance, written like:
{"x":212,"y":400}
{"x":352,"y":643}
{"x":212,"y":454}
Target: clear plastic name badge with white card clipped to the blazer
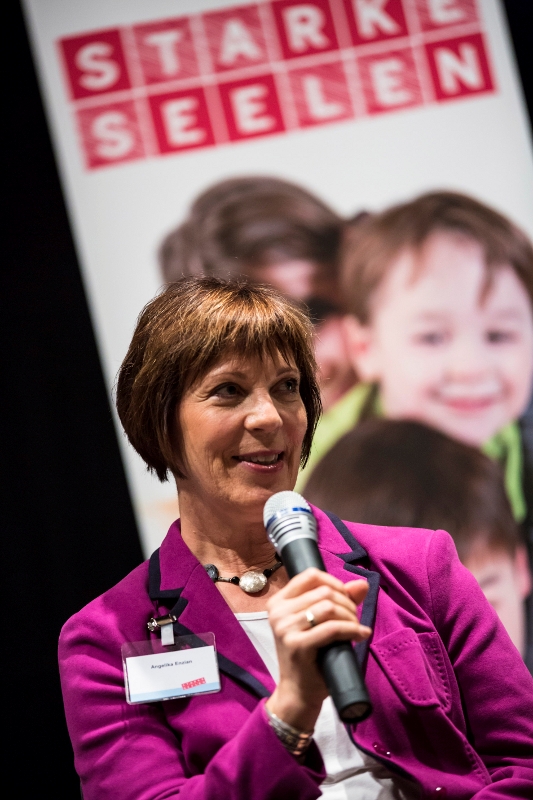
{"x":153,"y":672}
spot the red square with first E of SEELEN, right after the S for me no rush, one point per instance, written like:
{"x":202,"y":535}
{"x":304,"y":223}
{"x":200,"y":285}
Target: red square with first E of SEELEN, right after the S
{"x":181,"y":120}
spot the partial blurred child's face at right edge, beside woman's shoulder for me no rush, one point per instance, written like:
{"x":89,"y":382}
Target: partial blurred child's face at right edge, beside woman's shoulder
{"x":505,"y":581}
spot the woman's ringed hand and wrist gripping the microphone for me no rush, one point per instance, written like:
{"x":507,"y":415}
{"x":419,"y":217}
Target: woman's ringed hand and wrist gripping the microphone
{"x":301,"y":690}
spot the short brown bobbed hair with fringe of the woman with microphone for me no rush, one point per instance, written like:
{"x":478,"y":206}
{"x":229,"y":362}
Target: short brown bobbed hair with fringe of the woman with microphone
{"x":181,"y":334}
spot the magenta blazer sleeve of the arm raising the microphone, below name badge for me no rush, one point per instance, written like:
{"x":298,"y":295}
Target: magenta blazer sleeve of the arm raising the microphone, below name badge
{"x":129,"y":752}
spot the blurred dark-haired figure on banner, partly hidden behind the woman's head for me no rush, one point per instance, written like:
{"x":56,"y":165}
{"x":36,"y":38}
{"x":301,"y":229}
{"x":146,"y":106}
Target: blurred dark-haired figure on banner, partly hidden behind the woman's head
{"x":268,"y":230}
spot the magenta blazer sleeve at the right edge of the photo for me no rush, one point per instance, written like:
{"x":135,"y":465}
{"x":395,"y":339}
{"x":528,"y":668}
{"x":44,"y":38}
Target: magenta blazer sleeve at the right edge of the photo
{"x":495,"y":685}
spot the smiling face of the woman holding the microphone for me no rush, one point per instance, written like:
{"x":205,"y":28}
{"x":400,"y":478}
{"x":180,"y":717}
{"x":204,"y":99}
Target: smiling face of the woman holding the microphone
{"x":242,"y":427}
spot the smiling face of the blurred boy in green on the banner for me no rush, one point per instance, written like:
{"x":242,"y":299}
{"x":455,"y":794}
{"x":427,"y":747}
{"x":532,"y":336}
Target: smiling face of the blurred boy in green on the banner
{"x":442,"y":352}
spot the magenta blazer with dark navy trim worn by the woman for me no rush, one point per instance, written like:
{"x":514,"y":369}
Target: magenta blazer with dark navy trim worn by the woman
{"x":453,"y":702}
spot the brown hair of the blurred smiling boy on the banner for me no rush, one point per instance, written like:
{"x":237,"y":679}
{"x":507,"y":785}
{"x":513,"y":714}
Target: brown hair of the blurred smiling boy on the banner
{"x":375,"y":242}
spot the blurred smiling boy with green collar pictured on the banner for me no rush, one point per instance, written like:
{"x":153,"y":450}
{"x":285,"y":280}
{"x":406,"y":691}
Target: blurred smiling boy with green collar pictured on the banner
{"x":440,"y":329}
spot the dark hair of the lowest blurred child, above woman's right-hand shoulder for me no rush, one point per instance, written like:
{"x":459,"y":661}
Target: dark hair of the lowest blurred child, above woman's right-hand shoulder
{"x":402,"y":473}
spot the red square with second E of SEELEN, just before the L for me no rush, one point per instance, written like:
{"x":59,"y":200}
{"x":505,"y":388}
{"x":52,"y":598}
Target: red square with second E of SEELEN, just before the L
{"x":251,"y":107}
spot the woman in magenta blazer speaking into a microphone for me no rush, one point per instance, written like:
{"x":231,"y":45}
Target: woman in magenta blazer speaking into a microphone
{"x":218,"y":388}
